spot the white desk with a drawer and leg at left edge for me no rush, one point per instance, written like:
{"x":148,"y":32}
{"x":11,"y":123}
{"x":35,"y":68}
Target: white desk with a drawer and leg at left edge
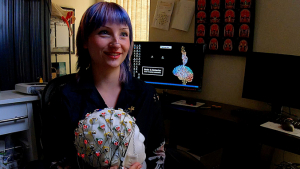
{"x":16,"y":115}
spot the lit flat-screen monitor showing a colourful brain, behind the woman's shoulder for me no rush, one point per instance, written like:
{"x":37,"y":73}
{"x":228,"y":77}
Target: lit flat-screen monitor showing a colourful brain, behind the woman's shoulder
{"x":169,"y":65}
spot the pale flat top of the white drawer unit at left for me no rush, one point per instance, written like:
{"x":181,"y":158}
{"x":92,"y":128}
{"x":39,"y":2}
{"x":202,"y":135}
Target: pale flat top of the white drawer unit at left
{"x":12,"y":96}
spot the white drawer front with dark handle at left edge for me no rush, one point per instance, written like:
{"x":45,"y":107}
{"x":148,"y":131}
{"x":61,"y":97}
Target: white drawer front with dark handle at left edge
{"x":13,"y":118}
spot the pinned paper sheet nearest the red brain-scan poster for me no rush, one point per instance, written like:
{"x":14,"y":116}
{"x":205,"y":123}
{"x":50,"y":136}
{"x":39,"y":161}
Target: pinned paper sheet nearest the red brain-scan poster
{"x":183,"y":15}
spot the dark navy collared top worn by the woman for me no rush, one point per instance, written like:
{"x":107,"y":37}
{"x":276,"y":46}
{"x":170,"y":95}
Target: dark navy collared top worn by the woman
{"x":76,"y":98}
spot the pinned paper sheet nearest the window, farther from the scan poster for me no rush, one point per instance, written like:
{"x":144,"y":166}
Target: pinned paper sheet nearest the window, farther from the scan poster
{"x":163,"y":13}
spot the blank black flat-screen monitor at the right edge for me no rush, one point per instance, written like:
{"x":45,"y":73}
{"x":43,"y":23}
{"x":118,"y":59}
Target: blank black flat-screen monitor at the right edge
{"x":273,"y":78}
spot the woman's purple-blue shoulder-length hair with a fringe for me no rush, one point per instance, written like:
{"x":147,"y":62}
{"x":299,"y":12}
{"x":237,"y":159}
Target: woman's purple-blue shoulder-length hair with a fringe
{"x":94,"y":17}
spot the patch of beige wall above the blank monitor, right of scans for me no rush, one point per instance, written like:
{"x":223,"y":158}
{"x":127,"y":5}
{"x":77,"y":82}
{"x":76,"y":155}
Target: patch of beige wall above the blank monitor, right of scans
{"x":277,"y":23}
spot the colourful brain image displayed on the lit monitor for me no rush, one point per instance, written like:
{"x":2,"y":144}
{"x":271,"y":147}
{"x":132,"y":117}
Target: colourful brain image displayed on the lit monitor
{"x":184,"y":73}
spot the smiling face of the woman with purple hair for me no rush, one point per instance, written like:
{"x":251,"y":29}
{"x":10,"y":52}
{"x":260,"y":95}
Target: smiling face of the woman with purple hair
{"x":108,"y":45}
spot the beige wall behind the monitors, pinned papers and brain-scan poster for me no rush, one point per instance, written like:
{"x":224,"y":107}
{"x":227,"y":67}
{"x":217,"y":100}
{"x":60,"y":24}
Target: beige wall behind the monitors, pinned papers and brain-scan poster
{"x":275,"y":32}
